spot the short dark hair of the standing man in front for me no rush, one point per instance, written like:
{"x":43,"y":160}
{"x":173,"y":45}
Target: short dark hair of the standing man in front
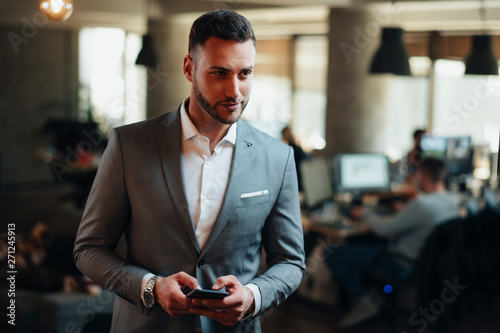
{"x":224,"y":24}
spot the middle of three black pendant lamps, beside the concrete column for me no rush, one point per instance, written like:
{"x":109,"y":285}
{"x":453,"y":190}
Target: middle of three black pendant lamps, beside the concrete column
{"x":391,"y":57}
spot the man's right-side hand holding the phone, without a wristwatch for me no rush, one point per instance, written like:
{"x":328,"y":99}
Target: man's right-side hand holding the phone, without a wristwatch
{"x":229,"y":310}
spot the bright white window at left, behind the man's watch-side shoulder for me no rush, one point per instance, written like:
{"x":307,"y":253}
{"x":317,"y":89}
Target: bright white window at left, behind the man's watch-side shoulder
{"x":112,"y":87}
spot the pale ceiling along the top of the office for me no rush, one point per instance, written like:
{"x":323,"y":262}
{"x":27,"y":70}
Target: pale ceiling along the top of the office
{"x":271,"y":17}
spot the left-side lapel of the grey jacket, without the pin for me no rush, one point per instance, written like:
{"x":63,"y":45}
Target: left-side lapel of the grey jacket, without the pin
{"x":169,"y":143}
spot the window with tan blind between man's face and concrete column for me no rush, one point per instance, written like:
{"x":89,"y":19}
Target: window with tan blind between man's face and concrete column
{"x":290,"y":88}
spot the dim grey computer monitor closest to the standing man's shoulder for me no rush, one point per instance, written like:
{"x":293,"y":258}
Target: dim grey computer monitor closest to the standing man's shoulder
{"x":316,"y":182}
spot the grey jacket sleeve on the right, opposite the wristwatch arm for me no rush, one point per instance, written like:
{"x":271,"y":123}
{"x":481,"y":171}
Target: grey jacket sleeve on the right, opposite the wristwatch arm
{"x":283,"y":241}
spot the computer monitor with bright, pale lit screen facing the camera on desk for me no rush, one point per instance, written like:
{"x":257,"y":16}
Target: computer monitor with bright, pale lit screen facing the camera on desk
{"x":361,"y":172}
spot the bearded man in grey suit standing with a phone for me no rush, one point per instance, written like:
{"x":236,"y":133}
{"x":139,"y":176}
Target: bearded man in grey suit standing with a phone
{"x":198,"y":193}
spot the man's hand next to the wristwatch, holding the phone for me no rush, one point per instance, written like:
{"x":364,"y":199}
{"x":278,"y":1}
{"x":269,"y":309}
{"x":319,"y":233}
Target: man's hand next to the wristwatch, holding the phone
{"x":169,"y":295}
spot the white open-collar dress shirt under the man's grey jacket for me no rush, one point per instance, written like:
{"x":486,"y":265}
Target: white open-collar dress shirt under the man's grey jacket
{"x":206,"y":176}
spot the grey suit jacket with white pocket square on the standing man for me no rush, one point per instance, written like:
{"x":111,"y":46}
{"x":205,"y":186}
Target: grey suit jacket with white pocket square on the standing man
{"x":139,"y":191}
